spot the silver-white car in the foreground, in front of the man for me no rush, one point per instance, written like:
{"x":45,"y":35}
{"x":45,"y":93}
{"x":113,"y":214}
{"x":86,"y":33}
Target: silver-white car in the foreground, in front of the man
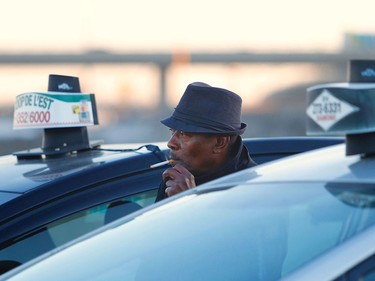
{"x":311,"y":216}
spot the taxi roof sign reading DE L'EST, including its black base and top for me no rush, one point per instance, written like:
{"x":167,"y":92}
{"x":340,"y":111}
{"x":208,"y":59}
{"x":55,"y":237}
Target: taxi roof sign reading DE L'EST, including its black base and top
{"x":63,"y":112}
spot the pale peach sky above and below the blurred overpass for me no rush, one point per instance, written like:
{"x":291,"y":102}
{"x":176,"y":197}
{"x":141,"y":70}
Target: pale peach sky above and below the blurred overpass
{"x":71,"y":26}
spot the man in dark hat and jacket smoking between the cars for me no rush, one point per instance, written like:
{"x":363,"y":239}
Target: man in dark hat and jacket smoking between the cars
{"x":205,"y":143}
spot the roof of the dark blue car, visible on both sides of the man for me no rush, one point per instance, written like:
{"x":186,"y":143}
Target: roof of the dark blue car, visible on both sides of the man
{"x":20,"y":175}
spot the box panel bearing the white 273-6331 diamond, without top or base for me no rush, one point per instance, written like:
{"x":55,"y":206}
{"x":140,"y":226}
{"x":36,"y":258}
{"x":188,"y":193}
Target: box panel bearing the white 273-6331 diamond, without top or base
{"x":341,"y":108}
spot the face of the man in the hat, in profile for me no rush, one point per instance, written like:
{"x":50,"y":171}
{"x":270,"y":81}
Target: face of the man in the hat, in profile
{"x":193,"y":151}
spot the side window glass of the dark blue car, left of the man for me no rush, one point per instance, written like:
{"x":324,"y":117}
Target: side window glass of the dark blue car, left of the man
{"x":70,"y":227}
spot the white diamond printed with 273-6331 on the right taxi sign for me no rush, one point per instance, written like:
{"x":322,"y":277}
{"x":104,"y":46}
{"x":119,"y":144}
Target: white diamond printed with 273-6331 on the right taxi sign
{"x":326,"y":110}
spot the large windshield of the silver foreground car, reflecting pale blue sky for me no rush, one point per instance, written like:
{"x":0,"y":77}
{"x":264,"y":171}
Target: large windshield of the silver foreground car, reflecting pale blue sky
{"x":257,"y":232}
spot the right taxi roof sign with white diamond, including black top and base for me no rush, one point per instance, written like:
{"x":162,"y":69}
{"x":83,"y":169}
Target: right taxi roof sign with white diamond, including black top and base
{"x":346,"y":108}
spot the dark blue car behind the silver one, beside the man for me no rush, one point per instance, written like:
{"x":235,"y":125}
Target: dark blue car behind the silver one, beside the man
{"x":49,"y":200}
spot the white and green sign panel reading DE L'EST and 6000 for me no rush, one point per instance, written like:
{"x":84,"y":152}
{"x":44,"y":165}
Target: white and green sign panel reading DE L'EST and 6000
{"x":54,"y":110}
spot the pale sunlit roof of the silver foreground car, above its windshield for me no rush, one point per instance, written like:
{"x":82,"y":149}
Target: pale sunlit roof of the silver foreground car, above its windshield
{"x":324,"y":165}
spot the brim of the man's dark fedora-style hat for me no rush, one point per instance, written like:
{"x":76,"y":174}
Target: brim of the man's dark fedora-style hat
{"x":179,"y":125}
